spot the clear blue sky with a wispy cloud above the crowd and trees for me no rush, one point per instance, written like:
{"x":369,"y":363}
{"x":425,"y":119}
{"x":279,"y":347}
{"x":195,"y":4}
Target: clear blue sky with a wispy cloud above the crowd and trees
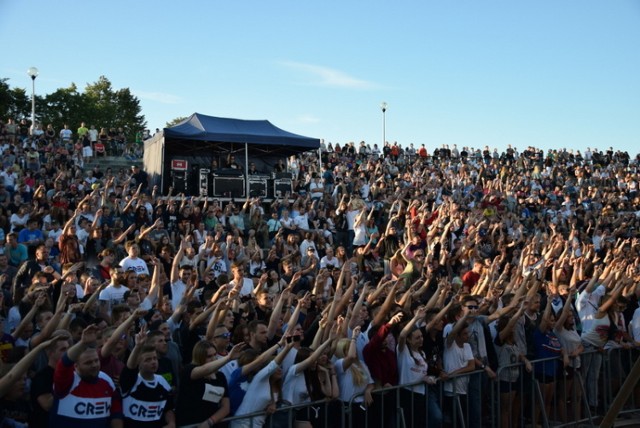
{"x":549,"y":73}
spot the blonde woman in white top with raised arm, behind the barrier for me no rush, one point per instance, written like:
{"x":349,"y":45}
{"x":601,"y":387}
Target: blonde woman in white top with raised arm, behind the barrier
{"x":353,"y":379}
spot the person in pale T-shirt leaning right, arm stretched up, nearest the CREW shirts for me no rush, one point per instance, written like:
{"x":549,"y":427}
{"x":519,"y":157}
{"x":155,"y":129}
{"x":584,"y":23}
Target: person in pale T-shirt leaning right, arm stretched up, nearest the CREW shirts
{"x":262,"y":393}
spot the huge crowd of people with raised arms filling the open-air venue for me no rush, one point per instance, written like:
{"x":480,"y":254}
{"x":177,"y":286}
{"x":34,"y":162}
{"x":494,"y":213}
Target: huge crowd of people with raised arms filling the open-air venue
{"x":445,"y":270}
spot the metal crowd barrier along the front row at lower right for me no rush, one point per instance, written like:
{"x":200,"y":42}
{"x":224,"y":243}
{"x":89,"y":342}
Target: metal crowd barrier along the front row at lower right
{"x":550,"y":396}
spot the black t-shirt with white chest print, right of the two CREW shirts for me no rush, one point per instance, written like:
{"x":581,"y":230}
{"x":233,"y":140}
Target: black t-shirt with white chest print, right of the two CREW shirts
{"x":198,"y":399}
